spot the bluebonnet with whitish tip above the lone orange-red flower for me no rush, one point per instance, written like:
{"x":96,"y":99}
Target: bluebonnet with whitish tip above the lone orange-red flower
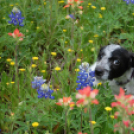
{"x":16,"y":17}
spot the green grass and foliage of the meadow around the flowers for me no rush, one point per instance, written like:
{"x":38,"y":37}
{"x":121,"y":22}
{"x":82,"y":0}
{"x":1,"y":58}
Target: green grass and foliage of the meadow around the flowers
{"x":43,"y":30}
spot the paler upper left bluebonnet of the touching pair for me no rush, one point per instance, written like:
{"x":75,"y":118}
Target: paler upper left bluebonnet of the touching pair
{"x":38,"y":81}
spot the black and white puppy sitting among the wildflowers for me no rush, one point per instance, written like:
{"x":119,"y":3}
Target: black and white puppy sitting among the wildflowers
{"x":116,"y":65}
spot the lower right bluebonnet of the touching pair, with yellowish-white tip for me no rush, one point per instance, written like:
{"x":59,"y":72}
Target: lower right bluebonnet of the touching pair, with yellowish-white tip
{"x":45,"y":91}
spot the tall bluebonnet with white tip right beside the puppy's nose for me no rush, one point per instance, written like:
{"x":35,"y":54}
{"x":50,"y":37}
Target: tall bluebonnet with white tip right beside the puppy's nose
{"x":86,"y":76}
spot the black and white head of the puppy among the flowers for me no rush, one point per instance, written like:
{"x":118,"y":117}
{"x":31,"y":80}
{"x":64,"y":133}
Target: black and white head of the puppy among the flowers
{"x":113,"y":61}
